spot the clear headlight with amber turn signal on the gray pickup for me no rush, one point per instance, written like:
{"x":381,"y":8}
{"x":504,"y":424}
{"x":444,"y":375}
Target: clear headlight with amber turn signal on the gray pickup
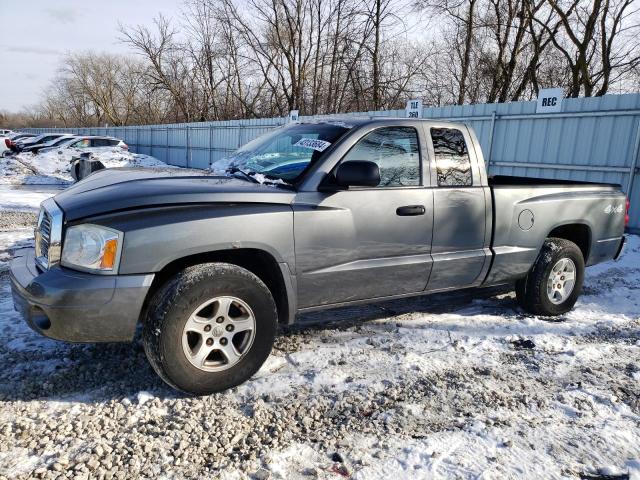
{"x":93,"y":248}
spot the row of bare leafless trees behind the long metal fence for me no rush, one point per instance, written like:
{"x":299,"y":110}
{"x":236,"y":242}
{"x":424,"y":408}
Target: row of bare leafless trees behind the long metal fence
{"x":226,"y":59}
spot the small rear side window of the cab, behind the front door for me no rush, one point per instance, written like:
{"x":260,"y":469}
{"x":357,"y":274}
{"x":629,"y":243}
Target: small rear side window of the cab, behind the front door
{"x":453,"y":165}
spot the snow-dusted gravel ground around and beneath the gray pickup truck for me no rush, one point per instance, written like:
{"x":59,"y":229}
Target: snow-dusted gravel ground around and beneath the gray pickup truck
{"x":445,"y":386}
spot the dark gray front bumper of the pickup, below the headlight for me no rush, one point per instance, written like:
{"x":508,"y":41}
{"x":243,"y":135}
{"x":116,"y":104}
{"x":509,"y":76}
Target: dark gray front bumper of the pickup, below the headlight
{"x":74,"y":306}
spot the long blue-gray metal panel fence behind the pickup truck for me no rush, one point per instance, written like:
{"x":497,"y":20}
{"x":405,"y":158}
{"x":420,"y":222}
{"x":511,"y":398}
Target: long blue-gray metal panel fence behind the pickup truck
{"x":591,"y":139}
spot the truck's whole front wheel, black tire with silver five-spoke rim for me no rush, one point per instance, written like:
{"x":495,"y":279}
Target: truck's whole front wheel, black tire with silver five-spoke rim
{"x":175,"y":352}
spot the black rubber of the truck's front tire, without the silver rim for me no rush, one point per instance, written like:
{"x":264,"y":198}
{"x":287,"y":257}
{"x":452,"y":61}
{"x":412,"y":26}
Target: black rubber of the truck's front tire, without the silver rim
{"x":178,"y":298}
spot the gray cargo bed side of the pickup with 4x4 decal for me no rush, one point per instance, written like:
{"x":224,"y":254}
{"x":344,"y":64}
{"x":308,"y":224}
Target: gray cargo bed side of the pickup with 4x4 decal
{"x":528,"y":210}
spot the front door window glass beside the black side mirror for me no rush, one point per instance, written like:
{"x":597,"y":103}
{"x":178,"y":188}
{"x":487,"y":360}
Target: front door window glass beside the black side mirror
{"x":395,"y":150}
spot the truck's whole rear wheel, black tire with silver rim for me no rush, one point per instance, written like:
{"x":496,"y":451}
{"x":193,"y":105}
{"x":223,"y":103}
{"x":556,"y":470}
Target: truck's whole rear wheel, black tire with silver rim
{"x":537,"y":293}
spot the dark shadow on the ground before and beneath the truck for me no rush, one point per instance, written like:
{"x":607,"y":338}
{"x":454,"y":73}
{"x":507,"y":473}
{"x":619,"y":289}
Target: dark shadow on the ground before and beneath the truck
{"x":33,"y":368}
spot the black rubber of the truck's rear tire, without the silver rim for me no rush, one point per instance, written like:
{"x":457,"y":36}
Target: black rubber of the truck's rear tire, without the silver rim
{"x":531,"y":291}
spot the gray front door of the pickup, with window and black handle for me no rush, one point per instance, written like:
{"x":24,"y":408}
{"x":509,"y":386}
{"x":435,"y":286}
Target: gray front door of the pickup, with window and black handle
{"x":367,"y":242}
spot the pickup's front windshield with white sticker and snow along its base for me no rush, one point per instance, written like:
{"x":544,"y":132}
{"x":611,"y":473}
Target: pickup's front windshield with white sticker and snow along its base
{"x":284,"y":153}
